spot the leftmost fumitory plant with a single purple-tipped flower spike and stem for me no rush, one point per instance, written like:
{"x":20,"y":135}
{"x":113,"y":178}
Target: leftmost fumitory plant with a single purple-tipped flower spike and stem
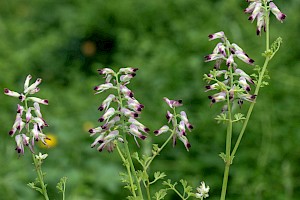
{"x":28,"y":128}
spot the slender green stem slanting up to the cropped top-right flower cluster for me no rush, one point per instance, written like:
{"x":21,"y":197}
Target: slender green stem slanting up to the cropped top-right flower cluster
{"x":258,"y":86}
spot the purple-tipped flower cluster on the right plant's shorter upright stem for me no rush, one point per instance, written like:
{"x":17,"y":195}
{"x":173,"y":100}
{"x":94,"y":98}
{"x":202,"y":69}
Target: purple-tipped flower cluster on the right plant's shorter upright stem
{"x":231,"y":82}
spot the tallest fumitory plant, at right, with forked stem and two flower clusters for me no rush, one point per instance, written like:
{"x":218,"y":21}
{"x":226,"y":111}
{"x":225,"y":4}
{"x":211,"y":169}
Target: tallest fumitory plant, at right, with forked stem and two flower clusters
{"x":232,"y":85}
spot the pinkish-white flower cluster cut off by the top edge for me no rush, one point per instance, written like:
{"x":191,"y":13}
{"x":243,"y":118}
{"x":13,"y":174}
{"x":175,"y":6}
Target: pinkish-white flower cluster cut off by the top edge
{"x":260,"y":9}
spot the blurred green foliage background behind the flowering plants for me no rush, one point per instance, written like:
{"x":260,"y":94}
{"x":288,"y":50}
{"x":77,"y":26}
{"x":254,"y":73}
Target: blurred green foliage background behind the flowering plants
{"x":65,"y":42}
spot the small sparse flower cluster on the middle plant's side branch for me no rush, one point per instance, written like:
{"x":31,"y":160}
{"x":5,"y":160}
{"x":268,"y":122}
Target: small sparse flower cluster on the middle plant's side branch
{"x":179,"y":128}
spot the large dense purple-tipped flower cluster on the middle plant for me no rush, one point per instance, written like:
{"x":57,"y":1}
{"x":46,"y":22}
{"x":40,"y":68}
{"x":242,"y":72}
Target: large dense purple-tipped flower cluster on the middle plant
{"x":119,"y":118}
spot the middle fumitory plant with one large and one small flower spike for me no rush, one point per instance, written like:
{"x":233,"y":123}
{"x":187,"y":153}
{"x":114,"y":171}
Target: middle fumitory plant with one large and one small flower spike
{"x":120,"y":123}
